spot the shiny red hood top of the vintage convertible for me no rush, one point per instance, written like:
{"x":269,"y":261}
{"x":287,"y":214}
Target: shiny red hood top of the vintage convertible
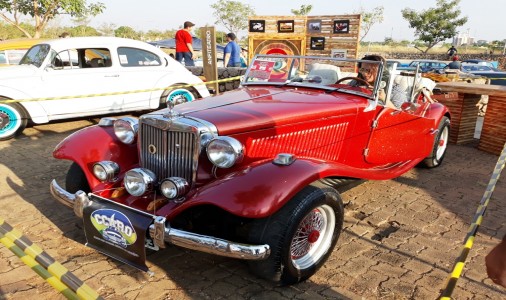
{"x":249,"y":109}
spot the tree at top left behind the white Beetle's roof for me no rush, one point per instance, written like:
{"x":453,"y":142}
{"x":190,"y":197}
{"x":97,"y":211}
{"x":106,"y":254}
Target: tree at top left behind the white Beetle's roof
{"x":43,"y":11}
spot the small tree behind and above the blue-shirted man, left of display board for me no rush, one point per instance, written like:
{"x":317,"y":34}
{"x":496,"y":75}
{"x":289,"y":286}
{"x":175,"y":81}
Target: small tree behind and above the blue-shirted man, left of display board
{"x":233,"y":15}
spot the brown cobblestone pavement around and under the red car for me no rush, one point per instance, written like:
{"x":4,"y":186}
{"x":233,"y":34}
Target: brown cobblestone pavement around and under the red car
{"x":400,"y":240}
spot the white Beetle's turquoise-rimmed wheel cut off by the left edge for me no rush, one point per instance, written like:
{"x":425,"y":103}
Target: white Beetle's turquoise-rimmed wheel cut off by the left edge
{"x":13,"y":120}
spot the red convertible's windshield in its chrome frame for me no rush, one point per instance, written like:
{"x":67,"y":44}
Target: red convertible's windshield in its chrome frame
{"x":348,"y":75}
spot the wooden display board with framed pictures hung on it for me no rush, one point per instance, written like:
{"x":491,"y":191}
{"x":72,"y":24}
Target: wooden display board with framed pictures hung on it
{"x":336,"y":35}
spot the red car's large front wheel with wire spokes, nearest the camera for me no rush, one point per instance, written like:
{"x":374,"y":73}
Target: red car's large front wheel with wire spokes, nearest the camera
{"x":301,"y":235}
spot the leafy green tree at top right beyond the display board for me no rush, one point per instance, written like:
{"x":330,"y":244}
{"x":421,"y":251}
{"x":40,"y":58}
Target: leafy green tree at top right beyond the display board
{"x":435,"y":25}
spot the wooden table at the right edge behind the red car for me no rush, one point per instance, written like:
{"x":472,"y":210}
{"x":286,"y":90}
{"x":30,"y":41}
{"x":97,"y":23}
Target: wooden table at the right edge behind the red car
{"x":464,"y":113}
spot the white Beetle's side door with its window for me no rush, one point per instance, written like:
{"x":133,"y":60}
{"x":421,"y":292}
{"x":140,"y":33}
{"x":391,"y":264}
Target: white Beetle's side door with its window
{"x":72,"y":74}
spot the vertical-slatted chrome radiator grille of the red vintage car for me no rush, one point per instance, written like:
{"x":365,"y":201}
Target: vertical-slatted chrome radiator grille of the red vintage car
{"x":168,"y":153}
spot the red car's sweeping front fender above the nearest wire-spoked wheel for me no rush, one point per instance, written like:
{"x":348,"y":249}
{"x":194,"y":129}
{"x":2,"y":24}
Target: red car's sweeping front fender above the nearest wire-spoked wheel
{"x":257,"y":191}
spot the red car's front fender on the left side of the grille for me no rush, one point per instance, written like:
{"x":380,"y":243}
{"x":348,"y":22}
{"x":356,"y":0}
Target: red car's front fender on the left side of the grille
{"x":95,"y":143}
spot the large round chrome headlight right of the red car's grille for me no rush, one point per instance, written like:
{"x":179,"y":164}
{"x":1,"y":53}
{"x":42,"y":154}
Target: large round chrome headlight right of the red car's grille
{"x":224,"y":151}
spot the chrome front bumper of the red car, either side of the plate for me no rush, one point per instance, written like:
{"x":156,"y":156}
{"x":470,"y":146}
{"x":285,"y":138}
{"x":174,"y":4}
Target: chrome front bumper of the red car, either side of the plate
{"x":162,"y":233}
